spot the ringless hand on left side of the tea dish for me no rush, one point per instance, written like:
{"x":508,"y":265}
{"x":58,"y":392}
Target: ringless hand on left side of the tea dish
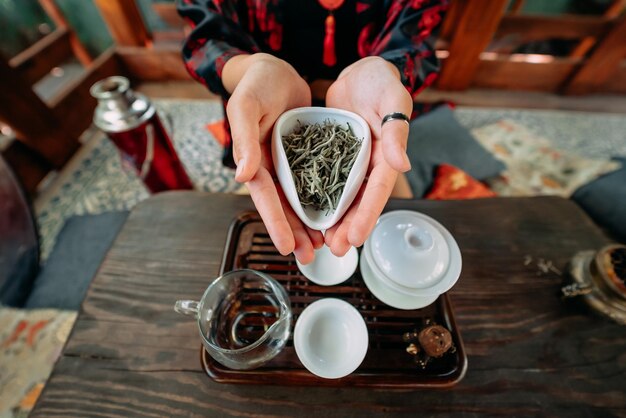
{"x":263,"y":87}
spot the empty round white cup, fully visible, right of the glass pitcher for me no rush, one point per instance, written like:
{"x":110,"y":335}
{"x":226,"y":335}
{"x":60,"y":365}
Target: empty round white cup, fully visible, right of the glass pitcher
{"x":331,"y":338}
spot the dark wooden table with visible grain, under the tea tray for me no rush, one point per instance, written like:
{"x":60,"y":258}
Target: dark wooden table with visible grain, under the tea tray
{"x":530,"y":354}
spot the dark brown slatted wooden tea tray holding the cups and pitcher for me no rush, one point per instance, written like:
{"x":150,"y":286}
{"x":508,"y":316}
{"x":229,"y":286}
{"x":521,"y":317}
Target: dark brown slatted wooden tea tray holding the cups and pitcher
{"x":387,"y":363}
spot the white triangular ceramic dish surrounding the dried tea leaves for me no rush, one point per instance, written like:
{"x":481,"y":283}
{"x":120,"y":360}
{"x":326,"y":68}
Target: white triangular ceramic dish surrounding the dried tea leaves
{"x":286,"y":123}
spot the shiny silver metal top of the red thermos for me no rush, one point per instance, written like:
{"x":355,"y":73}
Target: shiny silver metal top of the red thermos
{"x":119,"y":108}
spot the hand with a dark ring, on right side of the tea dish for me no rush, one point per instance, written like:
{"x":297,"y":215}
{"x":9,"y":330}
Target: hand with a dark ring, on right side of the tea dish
{"x":371,"y":88}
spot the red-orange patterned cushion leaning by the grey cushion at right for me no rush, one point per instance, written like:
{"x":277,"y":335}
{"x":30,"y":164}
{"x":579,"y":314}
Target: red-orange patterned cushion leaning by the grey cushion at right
{"x":453,"y":183}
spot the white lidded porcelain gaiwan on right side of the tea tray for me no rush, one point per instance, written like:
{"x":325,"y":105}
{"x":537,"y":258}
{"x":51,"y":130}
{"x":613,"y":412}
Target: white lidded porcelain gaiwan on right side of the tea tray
{"x":409,"y":260}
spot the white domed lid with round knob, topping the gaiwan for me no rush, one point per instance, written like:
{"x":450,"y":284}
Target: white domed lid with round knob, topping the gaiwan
{"x":415,"y":252}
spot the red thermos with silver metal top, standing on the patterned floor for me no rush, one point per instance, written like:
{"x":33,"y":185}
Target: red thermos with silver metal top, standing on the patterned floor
{"x":132,"y":123}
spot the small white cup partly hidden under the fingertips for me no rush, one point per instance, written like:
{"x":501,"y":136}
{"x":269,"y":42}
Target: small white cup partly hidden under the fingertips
{"x":328,"y":269}
